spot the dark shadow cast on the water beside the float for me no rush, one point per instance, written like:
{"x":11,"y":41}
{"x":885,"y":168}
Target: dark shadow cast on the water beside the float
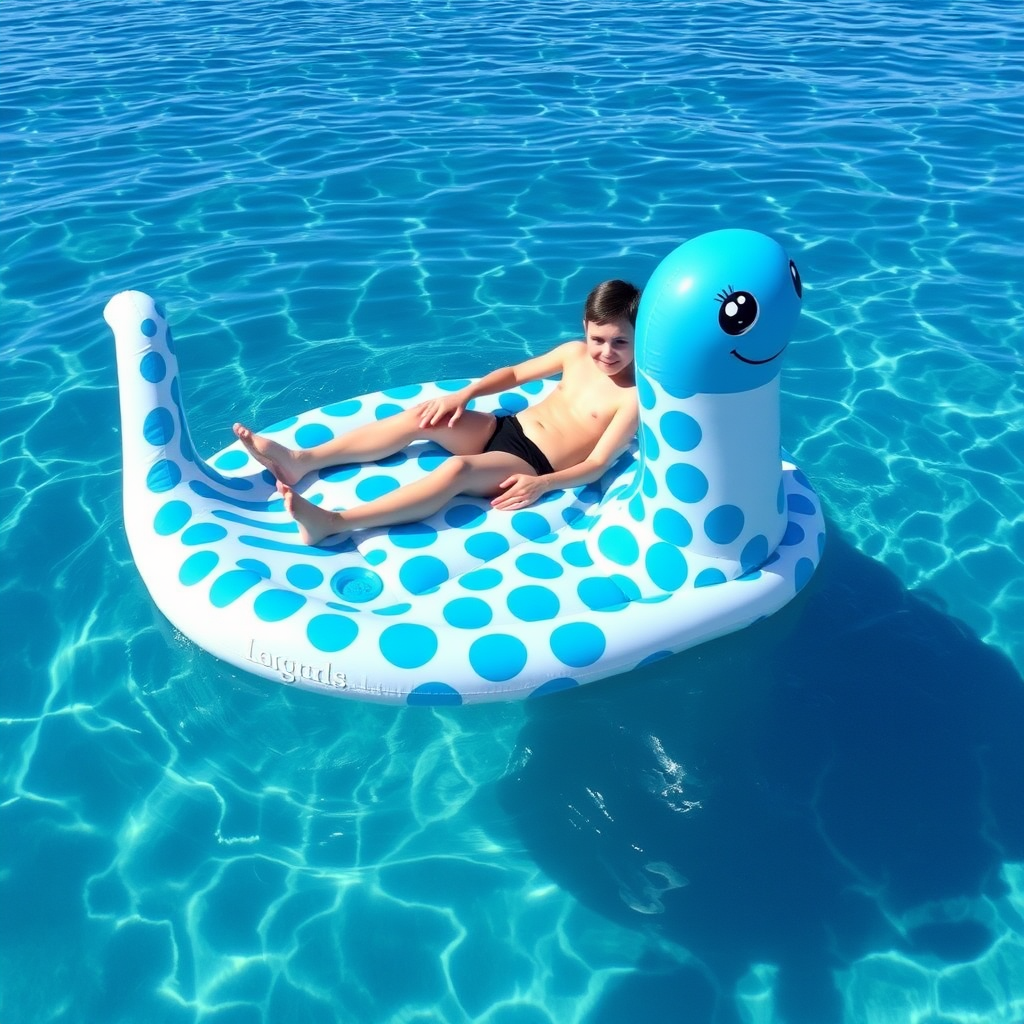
{"x":786,"y":801}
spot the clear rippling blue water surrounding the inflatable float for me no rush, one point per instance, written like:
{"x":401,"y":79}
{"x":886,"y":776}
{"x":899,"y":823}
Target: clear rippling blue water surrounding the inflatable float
{"x":820,"y":821}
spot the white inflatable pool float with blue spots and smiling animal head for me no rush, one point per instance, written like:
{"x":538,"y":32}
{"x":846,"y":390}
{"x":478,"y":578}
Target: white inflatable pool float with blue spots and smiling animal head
{"x":702,"y":529}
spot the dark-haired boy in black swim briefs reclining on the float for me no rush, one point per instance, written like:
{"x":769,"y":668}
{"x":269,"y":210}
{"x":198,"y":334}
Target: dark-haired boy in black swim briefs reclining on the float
{"x":569,"y":439}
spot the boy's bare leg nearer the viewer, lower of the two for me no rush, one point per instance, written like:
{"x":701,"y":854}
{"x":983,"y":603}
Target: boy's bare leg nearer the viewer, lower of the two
{"x":475,"y":475}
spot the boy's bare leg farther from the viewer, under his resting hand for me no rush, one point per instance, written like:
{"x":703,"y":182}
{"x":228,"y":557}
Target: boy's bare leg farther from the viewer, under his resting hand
{"x":367,"y":444}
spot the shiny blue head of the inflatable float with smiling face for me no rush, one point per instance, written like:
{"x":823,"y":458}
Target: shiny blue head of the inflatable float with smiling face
{"x":717,"y":315}
